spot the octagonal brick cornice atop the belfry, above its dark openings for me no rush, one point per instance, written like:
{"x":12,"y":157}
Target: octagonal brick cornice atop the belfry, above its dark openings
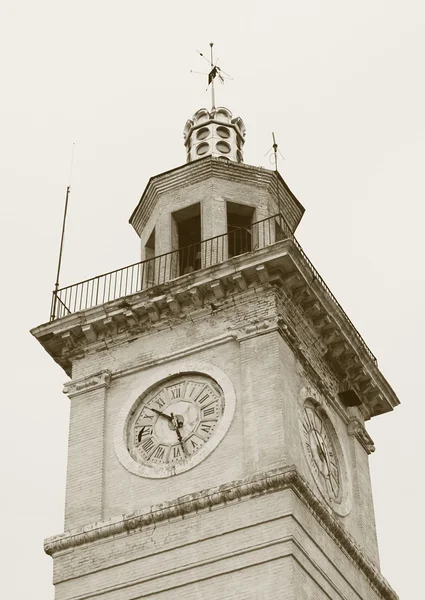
{"x":202,"y":170}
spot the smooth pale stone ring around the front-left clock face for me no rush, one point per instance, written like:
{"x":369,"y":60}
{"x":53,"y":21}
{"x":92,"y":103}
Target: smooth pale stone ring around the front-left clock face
{"x":212,"y":376}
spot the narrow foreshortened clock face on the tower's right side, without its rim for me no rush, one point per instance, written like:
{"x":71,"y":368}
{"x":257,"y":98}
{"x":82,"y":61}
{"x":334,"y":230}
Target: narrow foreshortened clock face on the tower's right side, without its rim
{"x":321,"y":452}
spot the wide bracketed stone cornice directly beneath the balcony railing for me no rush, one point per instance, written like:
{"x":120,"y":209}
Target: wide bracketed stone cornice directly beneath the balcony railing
{"x":282,"y":265}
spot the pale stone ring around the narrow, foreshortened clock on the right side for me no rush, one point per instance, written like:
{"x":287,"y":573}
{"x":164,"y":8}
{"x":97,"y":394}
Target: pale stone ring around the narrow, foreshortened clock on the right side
{"x":341,"y":503}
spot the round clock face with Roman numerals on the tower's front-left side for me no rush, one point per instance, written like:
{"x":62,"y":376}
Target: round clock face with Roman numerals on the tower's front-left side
{"x":173,"y":426}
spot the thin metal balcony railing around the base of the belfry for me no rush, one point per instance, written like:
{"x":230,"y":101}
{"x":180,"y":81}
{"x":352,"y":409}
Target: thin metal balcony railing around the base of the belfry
{"x":166,"y":267}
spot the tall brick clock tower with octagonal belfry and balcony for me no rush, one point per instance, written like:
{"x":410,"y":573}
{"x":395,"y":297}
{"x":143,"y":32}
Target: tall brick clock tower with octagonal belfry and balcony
{"x":219,"y":393}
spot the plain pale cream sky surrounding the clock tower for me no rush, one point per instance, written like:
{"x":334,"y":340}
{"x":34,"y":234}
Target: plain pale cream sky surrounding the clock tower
{"x":342,"y":86}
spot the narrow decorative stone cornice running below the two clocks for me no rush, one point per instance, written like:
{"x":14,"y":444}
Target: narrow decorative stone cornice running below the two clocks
{"x":232,"y":492}
